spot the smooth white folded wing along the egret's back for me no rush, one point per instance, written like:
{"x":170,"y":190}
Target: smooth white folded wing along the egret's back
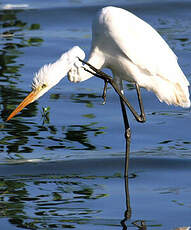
{"x":138,"y":41}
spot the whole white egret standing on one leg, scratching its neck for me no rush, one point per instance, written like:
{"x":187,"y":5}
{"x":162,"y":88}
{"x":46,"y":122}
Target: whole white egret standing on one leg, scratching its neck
{"x":132,"y":50}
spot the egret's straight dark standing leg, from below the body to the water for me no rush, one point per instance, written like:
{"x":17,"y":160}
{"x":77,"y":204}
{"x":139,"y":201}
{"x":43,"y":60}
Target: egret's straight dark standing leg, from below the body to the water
{"x":127,"y":136}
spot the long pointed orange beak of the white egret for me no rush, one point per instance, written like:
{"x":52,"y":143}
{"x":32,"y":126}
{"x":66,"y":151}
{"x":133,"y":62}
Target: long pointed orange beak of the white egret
{"x":29,"y":99}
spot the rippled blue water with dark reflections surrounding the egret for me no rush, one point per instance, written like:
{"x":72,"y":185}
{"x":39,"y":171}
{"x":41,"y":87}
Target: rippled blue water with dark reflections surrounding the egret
{"x":67,"y":171}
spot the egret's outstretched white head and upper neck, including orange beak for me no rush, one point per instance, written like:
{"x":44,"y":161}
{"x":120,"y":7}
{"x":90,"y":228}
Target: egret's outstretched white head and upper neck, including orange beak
{"x":48,"y":76}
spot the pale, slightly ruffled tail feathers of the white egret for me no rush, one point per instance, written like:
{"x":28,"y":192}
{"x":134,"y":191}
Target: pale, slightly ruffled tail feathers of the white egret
{"x":173,"y":93}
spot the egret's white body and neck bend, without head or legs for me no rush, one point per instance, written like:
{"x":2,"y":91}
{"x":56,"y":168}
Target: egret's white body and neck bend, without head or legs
{"x":135,"y":52}
